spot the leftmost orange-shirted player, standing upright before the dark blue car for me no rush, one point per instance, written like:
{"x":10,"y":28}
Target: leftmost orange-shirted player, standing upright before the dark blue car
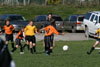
{"x":8,"y":28}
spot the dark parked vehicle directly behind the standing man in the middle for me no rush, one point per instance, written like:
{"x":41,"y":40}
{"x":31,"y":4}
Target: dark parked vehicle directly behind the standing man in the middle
{"x":41,"y":20}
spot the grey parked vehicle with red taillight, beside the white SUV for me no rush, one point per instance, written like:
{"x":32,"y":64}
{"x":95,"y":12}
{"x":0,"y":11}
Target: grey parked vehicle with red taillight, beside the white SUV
{"x":74,"y":23}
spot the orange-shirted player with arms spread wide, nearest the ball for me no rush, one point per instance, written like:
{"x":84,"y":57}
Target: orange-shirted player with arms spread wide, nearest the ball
{"x":50,"y":30}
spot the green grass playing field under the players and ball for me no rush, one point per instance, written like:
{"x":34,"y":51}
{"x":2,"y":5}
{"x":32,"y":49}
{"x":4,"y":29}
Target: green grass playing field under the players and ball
{"x":75,"y":57}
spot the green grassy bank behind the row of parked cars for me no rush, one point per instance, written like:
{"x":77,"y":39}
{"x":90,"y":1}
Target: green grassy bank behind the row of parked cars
{"x":29,"y":12}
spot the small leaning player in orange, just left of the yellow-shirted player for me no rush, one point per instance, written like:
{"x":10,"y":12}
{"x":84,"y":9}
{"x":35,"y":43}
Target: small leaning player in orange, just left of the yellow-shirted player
{"x":19,"y":37}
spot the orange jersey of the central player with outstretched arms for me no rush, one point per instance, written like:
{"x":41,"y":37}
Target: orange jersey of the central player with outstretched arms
{"x":50,"y":30}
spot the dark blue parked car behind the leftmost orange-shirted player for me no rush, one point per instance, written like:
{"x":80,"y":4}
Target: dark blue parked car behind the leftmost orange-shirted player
{"x":16,"y":20}
